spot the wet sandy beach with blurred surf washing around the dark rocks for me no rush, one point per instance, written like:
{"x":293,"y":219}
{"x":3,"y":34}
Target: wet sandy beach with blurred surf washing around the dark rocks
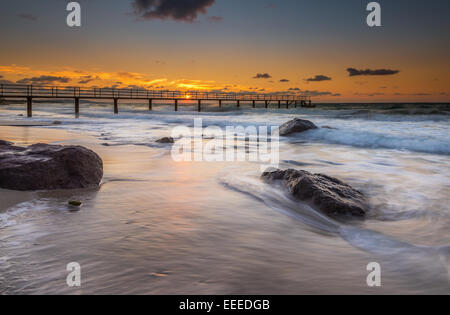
{"x":156,"y":226}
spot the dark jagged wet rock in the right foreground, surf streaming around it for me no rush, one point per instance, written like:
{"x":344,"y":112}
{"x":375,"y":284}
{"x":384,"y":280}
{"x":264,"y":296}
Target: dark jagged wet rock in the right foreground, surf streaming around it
{"x":327,"y":194}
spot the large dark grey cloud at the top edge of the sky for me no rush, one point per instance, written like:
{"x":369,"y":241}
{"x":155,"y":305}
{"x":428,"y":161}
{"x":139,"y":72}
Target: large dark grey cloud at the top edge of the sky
{"x":178,"y":10}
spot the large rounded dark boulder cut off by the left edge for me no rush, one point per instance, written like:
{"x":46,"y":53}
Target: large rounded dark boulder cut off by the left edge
{"x":49,"y":167}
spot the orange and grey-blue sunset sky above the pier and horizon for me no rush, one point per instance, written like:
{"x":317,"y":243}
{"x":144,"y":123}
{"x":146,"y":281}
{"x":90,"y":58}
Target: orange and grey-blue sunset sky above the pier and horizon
{"x":322,"y":48}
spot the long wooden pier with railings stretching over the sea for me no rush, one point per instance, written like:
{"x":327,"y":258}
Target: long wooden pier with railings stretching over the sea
{"x":30,"y":92}
